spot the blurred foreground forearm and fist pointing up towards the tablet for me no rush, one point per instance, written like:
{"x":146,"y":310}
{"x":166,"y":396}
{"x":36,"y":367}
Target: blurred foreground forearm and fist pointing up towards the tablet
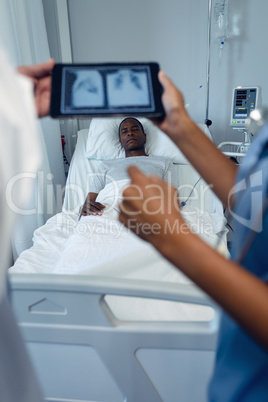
{"x":153,"y":213}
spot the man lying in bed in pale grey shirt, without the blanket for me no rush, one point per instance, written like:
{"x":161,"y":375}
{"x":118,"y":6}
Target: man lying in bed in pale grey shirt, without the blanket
{"x":112,"y":175}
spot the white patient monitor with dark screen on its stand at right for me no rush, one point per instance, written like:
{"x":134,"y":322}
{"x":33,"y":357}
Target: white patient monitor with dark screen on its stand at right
{"x":245,"y":101}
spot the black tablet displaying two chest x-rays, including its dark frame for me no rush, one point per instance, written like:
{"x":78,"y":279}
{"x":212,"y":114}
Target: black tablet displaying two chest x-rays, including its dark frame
{"x":114,"y":89}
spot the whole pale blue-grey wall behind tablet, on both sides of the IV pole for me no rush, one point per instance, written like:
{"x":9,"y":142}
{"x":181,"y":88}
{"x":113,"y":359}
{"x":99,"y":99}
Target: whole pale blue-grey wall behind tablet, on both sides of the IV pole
{"x":174,"y":33}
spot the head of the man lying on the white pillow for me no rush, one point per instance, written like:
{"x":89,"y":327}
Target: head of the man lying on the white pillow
{"x":131,"y":135}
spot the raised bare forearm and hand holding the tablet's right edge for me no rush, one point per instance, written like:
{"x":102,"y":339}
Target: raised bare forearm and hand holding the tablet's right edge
{"x":215,"y":168}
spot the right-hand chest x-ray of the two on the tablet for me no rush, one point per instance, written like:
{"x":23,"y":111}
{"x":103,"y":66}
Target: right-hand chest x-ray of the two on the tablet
{"x":128,"y":87}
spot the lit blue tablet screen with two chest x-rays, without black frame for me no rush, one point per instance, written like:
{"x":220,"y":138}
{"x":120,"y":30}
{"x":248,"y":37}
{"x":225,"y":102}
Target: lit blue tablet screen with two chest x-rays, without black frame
{"x":110,"y":89}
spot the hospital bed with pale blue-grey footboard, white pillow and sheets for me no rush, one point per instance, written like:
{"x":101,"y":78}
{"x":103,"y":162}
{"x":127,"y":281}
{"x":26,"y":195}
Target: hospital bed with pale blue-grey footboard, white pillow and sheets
{"x":128,"y":328}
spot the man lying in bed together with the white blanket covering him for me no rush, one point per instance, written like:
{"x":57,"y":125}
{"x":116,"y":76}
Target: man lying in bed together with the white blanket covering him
{"x":98,"y":243}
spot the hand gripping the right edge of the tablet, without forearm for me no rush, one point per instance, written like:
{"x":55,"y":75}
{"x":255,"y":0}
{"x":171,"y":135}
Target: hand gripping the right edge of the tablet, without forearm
{"x":177,"y":119}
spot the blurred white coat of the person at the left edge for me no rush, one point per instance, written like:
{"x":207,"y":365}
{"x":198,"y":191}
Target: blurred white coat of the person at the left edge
{"x":19,"y":154}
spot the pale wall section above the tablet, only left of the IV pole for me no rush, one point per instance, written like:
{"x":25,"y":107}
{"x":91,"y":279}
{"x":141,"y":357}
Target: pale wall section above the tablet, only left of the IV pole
{"x":171,"y":32}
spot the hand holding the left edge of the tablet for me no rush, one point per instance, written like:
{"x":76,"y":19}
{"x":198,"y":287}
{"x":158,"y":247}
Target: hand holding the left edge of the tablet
{"x":41,"y":77}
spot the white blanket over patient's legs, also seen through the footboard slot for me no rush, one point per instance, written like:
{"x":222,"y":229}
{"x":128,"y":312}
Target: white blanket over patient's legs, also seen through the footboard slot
{"x":101,"y":245}
